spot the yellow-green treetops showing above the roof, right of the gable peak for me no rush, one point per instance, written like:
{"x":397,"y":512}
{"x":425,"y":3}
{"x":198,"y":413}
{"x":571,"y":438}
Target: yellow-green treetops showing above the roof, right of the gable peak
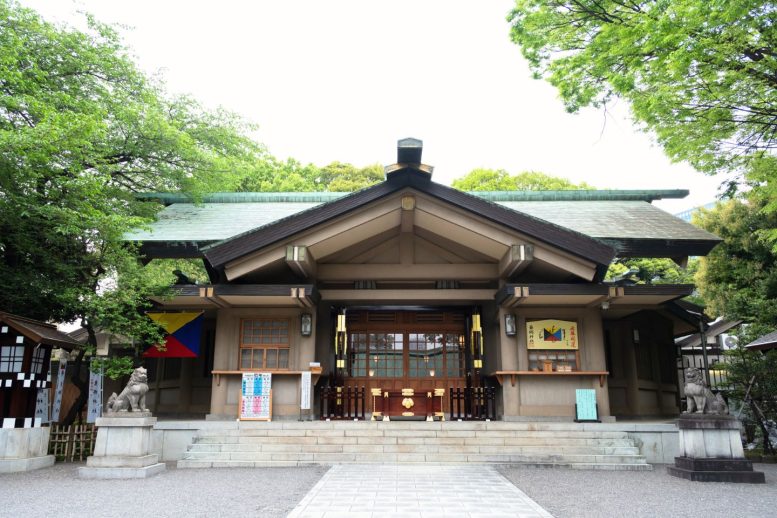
{"x":501,"y":180}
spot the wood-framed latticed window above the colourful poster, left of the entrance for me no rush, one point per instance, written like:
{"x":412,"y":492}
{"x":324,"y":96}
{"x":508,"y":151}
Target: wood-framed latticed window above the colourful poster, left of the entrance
{"x":264,"y":343}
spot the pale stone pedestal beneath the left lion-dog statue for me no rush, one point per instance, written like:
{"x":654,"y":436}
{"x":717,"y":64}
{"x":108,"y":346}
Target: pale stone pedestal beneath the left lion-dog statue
{"x":122,"y":448}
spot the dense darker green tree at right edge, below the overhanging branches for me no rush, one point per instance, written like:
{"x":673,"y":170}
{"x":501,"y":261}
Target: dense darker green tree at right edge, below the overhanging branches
{"x":738,"y":279}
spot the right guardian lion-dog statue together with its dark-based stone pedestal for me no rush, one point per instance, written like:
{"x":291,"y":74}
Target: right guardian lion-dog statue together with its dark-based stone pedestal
{"x":710,"y":446}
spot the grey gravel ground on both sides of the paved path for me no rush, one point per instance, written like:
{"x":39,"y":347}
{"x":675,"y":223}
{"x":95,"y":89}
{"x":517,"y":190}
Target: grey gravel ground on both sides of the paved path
{"x":274,"y":492}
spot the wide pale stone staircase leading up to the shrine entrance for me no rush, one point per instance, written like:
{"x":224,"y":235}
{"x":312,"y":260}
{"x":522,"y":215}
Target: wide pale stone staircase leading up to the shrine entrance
{"x":540,"y":444}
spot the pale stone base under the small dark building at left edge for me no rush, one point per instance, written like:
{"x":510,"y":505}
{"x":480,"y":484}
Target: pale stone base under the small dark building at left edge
{"x":24,"y":449}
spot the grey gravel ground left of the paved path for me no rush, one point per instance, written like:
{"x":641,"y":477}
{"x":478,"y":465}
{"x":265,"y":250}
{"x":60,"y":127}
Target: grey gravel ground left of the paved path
{"x":234,"y":492}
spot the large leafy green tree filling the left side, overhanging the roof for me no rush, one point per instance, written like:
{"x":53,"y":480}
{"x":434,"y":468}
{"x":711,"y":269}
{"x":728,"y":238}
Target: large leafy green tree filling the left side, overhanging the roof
{"x":82,"y":130}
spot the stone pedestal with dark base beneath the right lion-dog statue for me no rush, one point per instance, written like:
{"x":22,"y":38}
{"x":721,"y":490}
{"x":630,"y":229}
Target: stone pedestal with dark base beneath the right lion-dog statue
{"x":711,"y":450}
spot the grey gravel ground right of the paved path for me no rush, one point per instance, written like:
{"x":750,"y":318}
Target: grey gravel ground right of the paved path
{"x":568,"y":493}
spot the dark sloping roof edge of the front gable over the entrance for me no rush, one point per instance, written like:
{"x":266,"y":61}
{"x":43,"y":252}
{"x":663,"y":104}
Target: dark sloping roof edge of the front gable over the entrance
{"x":418,"y":179}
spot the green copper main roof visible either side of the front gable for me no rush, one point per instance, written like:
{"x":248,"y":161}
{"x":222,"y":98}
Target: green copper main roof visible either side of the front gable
{"x":623,"y":219}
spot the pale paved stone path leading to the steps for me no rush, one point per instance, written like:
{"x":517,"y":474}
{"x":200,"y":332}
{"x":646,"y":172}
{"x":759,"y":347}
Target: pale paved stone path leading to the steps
{"x":415,"y":491}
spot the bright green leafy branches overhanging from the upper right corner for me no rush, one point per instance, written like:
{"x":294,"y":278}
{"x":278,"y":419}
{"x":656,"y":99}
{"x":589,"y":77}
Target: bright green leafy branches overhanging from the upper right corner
{"x":701,"y":76}
